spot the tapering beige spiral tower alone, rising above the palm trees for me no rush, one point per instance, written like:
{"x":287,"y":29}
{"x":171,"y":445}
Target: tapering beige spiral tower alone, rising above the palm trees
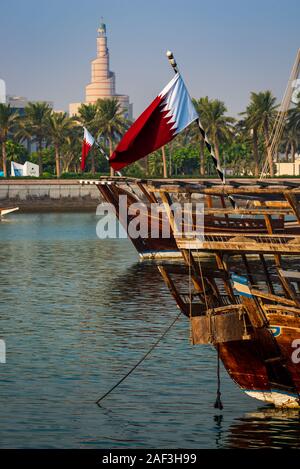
{"x":103,"y":80}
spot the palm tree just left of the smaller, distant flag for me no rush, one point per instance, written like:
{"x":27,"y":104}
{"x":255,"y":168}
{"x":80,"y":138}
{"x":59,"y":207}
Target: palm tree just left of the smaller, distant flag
{"x":59,"y":127}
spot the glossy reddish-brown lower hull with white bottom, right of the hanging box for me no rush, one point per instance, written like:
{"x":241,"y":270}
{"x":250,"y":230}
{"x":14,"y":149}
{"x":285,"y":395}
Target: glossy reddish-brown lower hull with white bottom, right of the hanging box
{"x":265,"y":366}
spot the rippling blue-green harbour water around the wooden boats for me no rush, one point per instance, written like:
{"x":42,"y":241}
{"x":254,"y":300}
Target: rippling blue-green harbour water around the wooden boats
{"x":76,"y":314}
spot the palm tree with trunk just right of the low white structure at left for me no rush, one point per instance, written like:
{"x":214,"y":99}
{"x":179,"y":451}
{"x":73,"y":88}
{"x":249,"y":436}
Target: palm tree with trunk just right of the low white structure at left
{"x":34,"y":126}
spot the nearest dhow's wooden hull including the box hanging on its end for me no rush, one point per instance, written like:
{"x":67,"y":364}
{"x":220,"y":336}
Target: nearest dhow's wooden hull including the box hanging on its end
{"x":258,"y":345}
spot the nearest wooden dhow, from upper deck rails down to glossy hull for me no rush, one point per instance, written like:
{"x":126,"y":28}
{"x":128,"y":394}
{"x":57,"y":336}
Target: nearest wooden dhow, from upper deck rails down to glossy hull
{"x":246,"y":300}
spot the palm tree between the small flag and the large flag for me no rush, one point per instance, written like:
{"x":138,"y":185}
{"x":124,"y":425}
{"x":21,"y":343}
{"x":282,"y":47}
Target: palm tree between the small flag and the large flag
{"x":110,"y":122}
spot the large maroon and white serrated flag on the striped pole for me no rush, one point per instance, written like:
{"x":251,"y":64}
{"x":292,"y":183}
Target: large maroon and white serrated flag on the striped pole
{"x":169,"y":113}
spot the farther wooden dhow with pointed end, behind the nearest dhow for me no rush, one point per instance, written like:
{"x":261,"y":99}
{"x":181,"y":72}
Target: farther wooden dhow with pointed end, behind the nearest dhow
{"x":218,"y":214}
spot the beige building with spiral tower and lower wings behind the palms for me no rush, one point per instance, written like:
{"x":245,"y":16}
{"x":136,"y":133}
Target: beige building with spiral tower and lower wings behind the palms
{"x":103,"y":80}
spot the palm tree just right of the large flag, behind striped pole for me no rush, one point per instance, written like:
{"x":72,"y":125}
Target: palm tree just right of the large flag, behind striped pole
{"x":217,"y":125}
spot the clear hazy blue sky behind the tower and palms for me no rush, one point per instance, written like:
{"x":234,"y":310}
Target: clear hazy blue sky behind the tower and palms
{"x":225,"y":48}
